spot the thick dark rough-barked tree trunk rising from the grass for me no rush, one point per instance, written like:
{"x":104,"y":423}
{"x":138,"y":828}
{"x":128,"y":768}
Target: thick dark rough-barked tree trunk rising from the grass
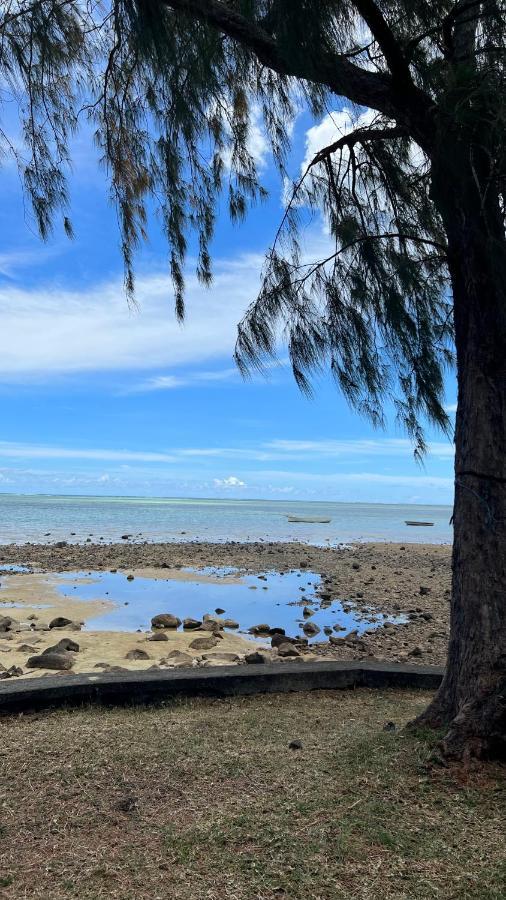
{"x":472,"y":698}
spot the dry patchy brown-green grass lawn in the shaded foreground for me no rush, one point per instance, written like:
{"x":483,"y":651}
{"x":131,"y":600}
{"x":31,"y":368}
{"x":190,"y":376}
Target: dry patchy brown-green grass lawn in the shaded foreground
{"x":204,"y":800}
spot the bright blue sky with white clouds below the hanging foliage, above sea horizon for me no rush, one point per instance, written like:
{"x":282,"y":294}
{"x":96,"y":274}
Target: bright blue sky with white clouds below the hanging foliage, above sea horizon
{"x":100,"y":399}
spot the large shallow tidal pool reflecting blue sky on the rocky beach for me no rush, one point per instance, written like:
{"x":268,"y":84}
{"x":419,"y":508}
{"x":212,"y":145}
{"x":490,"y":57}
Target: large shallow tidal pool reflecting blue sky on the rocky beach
{"x":271,"y":598}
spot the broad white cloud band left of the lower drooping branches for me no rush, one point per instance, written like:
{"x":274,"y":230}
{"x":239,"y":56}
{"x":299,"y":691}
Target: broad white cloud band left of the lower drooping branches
{"x":52,"y":331}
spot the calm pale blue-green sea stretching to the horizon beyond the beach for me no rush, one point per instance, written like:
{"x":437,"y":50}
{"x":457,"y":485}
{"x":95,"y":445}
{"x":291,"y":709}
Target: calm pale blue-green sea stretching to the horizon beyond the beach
{"x":44,"y":518}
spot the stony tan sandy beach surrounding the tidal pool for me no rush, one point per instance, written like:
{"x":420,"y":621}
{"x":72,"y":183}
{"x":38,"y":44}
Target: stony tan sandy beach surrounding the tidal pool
{"x":411,"y":581}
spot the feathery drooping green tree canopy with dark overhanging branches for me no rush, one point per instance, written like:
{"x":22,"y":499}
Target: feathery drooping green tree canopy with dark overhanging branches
{"x":169,"y":88}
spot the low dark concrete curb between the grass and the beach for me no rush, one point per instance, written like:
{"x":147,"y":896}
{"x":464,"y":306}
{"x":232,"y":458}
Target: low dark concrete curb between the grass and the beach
{"x":224,"y":681}
